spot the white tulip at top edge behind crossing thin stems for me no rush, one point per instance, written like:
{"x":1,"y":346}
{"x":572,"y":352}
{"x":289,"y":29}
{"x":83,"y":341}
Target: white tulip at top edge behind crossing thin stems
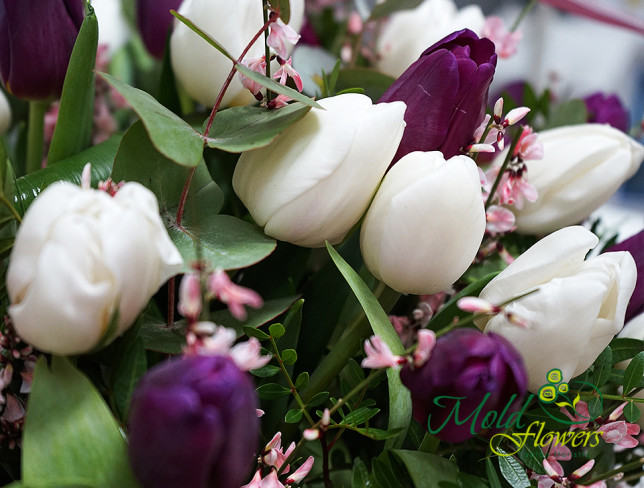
{"x":200,"y":68}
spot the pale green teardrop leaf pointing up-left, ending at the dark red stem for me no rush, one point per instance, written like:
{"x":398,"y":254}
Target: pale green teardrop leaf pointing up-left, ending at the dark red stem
{"x":170,"y":134}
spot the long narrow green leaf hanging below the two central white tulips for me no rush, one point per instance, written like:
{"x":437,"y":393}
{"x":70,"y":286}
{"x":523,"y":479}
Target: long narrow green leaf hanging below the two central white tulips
{"x":399,"y":396}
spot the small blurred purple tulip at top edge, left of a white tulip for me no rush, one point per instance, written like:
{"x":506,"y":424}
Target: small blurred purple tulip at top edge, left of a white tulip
{"x":154,"y":19}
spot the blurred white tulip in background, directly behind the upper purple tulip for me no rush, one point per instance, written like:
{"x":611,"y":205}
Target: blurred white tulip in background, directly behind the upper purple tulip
{"x":408,"y":33}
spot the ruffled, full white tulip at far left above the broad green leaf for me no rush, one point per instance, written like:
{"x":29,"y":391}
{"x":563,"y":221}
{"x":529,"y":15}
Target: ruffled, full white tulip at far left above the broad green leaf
{"x":80,"y":256}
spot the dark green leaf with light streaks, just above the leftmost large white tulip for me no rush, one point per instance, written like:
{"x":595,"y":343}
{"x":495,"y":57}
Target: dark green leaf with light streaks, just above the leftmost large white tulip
{"x":100,"y":156}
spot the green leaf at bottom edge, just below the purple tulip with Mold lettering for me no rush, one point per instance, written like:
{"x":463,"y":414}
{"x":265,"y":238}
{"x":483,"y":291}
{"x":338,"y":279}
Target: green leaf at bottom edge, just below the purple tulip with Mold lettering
{"x":427,"y":470}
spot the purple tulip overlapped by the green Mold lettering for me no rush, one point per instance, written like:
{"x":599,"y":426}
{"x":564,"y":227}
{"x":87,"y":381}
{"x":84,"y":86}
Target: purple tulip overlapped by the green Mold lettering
{"x":483,"y":376}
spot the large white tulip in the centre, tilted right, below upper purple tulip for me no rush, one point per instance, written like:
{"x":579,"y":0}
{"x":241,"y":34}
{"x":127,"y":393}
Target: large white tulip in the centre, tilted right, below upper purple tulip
{"x":316,"y":180}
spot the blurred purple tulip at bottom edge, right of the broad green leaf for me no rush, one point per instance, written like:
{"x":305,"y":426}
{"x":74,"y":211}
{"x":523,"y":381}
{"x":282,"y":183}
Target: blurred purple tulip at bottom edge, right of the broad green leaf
{"x":193,"y":423}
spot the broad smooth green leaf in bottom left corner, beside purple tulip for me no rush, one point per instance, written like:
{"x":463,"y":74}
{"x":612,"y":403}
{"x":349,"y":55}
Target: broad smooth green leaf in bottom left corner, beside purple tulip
{"x":70,"y":433}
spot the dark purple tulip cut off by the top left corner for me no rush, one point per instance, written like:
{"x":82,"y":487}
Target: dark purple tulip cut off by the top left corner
{"x":36,"y":42}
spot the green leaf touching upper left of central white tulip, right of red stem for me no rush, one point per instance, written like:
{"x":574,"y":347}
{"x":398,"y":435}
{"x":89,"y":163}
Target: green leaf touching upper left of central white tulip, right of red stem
{"x":239,"y":129}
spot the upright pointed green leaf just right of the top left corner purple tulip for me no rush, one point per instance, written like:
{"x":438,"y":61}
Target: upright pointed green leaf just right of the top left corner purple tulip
{"x":73,"y":129}
